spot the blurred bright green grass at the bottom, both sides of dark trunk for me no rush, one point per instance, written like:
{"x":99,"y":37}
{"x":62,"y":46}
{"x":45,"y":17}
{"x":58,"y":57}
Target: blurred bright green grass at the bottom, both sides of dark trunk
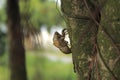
{"x":40,"y":67}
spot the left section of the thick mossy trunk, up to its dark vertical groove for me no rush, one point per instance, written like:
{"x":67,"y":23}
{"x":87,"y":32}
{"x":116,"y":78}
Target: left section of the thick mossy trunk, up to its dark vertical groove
{"x":82,"y":18}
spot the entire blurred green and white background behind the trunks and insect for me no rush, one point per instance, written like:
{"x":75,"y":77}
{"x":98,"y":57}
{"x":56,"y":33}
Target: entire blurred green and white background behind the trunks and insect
{"x":43,"y":60}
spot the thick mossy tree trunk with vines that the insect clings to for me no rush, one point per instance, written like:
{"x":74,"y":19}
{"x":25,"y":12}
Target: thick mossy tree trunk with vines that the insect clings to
{"x":93,"y":61}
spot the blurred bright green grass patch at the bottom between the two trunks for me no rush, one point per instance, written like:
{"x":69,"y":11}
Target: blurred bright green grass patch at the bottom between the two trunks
{"x":40,"y":67}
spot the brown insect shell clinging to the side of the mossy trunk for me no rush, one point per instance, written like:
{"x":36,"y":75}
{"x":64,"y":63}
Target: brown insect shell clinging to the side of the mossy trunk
{"x":60,"y":42}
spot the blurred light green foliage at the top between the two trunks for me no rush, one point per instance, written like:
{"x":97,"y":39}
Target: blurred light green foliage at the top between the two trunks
{"x":42,"y":13}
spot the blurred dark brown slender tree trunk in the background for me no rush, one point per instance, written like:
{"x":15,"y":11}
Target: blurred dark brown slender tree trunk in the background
{"x":16,"y":45}
